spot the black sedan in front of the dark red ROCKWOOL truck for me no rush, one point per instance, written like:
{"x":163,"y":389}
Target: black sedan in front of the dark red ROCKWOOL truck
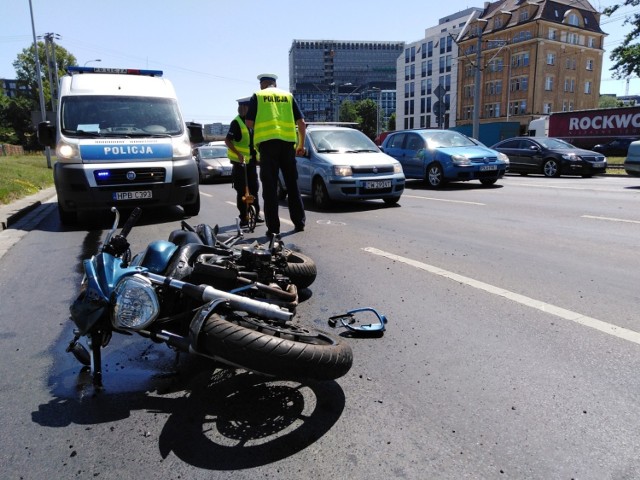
{"x":551,"y":157}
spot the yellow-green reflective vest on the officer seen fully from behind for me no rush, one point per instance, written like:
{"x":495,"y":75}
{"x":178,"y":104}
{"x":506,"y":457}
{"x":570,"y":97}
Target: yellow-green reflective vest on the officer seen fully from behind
{"x":274,"y":117}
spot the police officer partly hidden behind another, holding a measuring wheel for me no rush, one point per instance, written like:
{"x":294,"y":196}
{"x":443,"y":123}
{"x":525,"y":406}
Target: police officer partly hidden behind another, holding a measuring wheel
{"x":239,"y":152}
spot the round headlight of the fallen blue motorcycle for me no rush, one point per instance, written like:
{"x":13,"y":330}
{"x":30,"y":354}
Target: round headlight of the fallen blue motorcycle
{"x":136,"y":303}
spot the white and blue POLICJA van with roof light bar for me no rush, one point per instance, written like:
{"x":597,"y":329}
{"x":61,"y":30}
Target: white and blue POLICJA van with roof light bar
{"x":120,"y":140}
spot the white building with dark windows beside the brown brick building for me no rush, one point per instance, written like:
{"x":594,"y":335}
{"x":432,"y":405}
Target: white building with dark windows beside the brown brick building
{"x":426,"y":81}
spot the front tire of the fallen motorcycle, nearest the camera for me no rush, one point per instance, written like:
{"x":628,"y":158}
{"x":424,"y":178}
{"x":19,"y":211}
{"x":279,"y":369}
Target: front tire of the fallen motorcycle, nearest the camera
{"x":289,"y":350}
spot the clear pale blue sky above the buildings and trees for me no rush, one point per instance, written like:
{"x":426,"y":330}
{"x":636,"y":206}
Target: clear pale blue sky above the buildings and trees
{"x":212,"y":50}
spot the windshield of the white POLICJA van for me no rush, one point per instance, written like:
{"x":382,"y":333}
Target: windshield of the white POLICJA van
{"x":106,"y":115}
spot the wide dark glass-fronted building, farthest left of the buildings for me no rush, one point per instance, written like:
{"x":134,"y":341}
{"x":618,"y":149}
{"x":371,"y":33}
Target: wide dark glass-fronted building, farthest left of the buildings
{"x":325,"y":73}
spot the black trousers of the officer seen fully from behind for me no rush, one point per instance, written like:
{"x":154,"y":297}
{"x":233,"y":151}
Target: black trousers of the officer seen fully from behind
{"x":275,"y":156}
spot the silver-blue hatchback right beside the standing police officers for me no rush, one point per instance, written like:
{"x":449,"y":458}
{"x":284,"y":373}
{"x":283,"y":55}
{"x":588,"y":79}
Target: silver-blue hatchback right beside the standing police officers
{"x":343,"y":164}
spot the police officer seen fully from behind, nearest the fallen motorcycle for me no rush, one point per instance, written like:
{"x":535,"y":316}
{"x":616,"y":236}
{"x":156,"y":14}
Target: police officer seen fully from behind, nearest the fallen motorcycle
{"x":273,"y":116}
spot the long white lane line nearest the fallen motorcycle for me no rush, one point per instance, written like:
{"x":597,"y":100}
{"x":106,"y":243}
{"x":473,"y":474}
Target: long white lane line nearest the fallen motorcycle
{"x":608,"y":328}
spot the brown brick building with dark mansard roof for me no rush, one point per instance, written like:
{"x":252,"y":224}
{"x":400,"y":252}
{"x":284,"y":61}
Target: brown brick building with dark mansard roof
{"x":529,"y":58}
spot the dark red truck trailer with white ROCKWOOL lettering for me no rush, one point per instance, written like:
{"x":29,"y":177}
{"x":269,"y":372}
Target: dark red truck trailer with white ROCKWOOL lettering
{"x":587,"y":128}
